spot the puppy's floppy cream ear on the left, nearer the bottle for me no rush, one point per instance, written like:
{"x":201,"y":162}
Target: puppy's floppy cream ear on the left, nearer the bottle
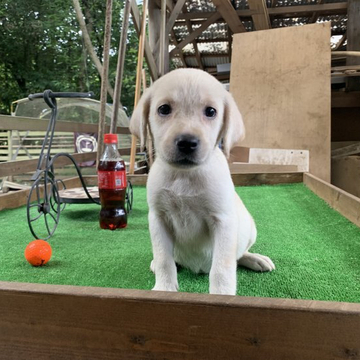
{"x":140,"y":118}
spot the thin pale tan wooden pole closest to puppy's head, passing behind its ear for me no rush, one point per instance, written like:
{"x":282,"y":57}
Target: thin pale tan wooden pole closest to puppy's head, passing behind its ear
{"x":138,"y":80}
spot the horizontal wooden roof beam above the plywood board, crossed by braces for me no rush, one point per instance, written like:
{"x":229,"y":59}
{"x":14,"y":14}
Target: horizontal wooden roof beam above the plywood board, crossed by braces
{"x":339,"y":8}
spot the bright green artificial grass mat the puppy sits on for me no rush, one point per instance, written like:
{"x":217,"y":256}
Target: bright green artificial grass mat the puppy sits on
{"x":315,"y":249}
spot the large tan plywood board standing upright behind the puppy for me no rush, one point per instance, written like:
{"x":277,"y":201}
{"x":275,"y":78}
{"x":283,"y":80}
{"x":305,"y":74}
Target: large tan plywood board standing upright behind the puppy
{"x":280,"y":80}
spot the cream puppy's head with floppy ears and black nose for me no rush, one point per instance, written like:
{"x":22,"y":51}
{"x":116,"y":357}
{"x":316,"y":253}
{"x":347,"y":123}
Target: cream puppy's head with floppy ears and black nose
{"x":188,"y":112}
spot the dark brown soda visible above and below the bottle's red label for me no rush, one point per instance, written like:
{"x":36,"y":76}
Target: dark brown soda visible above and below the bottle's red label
{"x":113,"y":214}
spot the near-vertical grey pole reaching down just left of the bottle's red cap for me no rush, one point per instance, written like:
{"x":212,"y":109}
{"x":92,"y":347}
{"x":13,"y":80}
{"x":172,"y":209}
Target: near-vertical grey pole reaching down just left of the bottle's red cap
{"x":104,"y":79}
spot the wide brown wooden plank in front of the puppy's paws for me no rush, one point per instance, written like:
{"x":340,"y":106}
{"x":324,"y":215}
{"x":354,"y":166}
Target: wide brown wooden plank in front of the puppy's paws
{"x":39,"y":321}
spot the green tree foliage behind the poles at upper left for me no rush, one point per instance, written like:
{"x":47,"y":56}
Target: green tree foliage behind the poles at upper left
{"x":41,"y":48}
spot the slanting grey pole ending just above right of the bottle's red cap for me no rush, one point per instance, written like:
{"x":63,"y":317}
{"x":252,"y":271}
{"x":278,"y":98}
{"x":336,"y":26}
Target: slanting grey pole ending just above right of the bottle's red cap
{"x":120,"y":66}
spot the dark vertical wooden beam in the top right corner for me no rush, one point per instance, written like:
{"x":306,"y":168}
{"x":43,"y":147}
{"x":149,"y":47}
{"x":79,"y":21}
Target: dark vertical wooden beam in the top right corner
{"x":353,"y":41}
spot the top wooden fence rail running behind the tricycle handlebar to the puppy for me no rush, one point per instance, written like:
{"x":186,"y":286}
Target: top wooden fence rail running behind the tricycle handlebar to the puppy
{"x":25,"y":123}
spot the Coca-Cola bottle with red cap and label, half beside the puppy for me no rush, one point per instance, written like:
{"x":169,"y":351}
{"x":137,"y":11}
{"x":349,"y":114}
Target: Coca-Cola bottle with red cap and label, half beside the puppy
{"x":112,"y":186}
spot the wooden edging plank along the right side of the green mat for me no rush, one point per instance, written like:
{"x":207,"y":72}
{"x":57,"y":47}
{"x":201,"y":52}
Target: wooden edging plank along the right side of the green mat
{"x":346,"y":204}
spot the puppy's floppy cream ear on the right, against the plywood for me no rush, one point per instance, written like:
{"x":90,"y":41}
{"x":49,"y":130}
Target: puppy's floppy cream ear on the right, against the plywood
{"x":233,"y":126}
